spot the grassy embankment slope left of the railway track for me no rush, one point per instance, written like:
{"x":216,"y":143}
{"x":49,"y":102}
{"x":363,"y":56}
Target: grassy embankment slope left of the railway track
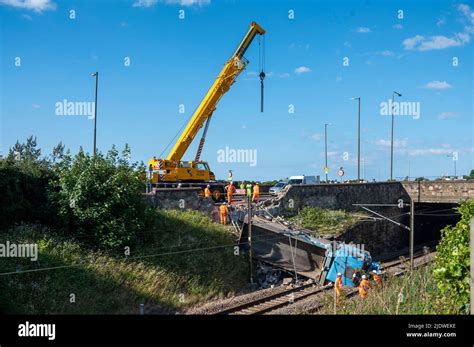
{"x":155,"y":274}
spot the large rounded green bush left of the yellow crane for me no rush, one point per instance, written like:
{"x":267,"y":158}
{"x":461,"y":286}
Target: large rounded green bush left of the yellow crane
{"x":99,"y":198}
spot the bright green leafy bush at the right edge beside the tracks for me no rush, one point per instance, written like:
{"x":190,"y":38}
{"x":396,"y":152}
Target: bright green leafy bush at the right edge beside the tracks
{"x":452,"y":270}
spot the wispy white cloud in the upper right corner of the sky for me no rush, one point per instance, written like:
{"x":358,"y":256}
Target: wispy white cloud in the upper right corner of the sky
{"x":421,"y":43}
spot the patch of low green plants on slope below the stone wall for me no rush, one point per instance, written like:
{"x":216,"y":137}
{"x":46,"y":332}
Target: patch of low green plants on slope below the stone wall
{"x":324,"y":221}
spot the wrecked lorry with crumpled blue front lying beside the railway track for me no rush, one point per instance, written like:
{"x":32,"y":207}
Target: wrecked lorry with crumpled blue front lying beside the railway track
{"x":298,"y":251}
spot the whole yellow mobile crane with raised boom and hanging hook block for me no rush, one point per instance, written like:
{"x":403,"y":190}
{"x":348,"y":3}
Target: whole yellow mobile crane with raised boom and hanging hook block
{"x":172,"y":170}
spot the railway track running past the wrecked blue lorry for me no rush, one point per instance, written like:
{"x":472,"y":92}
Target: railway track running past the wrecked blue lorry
{"x":288,"y":297}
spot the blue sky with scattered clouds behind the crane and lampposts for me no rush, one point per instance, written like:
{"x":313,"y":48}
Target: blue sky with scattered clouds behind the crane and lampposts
{"x":424,"y":52}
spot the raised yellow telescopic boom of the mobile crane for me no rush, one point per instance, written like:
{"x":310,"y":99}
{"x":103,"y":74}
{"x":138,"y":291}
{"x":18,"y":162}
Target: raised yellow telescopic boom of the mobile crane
{"x":231,"y":70}
